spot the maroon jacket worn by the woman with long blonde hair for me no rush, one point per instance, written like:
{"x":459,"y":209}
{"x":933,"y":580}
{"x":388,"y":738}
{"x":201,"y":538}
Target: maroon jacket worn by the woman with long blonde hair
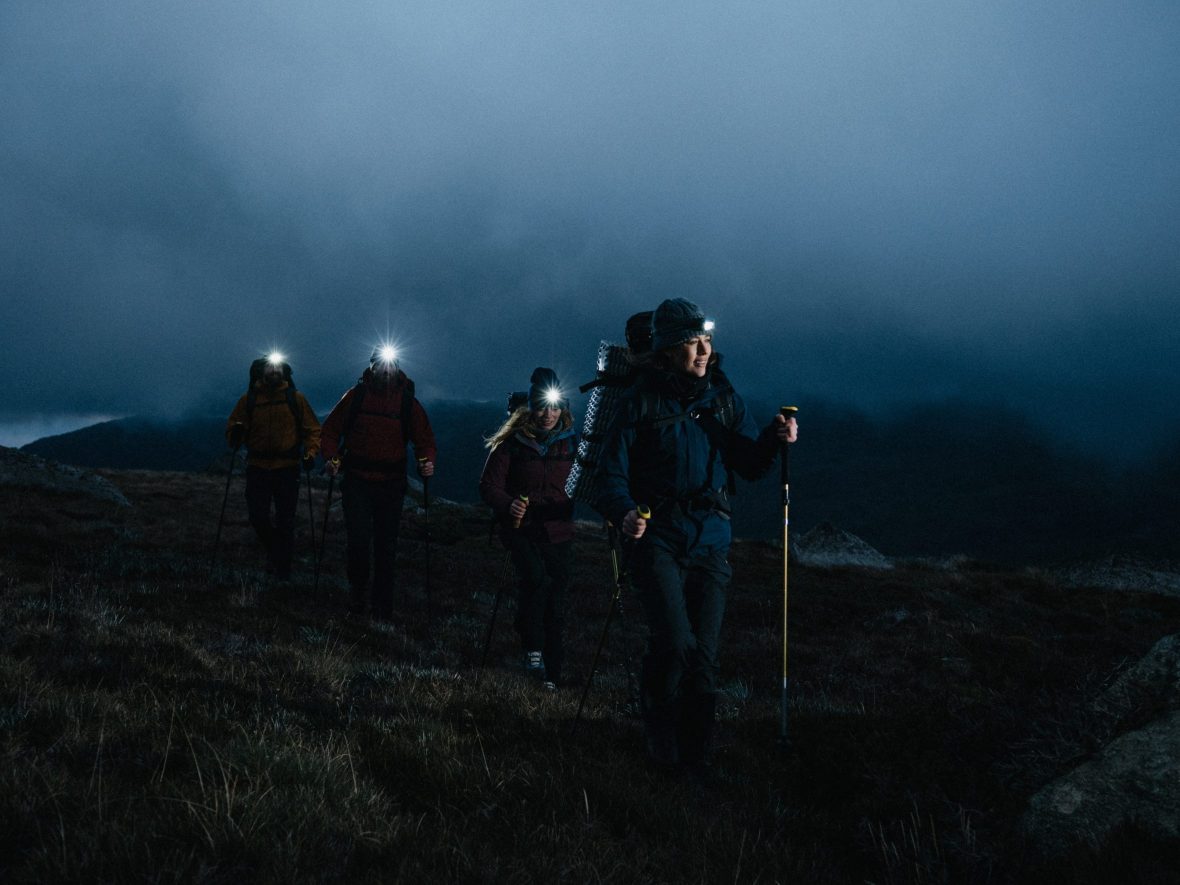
{"x":523,"y":467}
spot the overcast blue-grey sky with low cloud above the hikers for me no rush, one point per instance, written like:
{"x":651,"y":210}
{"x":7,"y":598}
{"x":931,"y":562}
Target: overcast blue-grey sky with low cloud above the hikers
{"x":880,"y":202}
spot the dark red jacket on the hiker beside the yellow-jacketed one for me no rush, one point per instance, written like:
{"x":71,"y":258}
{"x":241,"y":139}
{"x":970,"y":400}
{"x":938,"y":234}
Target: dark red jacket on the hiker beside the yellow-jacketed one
{"x":375,"y":440}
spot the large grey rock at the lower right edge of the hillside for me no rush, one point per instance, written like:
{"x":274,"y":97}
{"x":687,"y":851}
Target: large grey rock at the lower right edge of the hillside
{"x":1136,"y":779}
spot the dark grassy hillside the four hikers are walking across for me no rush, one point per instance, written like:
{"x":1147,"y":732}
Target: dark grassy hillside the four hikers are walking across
{"x":165,"y":718}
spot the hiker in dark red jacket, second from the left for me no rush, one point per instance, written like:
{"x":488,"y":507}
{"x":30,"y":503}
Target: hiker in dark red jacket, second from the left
{"x":366,"y":437}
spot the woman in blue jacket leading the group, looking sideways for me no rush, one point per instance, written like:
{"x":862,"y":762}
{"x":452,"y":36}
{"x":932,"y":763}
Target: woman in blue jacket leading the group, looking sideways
{"x":679,"y":434}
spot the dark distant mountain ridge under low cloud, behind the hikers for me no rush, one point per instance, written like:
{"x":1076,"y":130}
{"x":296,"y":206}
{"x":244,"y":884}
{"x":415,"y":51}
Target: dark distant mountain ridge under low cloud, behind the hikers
{"x":939,"y":480}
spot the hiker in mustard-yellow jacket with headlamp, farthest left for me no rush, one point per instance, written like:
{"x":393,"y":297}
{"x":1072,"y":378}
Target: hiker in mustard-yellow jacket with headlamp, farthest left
{"x":280,"y":431}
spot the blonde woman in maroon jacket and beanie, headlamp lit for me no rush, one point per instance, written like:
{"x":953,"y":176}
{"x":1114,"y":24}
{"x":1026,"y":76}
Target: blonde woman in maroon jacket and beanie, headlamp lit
{"x":525,"y":484}
